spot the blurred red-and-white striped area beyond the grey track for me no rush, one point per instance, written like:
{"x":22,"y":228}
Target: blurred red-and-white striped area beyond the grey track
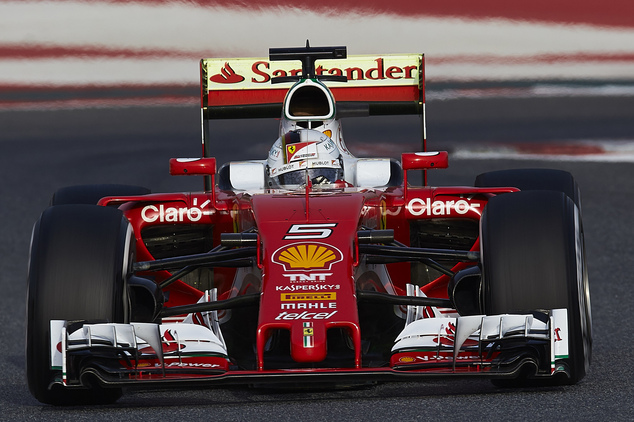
{"x":69,"y":54}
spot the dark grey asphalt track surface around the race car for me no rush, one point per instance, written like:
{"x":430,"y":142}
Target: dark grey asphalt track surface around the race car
{"x":42,"y":151}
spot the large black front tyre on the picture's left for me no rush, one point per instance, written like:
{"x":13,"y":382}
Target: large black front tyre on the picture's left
{"x":81,"y":257}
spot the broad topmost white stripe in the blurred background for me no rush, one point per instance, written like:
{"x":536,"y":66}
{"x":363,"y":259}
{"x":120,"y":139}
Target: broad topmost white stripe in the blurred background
{"x":180,"y":25}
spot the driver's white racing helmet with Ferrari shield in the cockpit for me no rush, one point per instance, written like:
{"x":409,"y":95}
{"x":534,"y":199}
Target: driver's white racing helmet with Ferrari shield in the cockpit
{"x":303,"y":156}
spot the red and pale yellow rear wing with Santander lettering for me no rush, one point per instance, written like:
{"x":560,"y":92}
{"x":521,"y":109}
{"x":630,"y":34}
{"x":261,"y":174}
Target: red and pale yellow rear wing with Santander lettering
{"x":233,"y":88}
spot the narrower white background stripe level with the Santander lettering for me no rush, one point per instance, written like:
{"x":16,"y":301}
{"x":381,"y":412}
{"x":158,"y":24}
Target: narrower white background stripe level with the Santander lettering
{"x":103,"y":71}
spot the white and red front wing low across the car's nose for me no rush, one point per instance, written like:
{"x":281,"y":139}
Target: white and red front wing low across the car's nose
{"x":146,"y":354}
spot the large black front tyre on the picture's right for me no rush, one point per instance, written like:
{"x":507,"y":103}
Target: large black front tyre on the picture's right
{"x":533,"y":258}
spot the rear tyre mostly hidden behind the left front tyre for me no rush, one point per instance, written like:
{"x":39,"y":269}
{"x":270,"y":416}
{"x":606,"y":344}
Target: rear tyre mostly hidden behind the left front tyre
{"x":91,"y":194}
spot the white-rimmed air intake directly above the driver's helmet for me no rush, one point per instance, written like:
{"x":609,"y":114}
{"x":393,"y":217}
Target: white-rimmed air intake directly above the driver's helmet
{"x":309,"y":104}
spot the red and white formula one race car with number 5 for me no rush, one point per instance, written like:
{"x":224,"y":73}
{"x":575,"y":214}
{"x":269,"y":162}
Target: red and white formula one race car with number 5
{"x":312,"y":265}
